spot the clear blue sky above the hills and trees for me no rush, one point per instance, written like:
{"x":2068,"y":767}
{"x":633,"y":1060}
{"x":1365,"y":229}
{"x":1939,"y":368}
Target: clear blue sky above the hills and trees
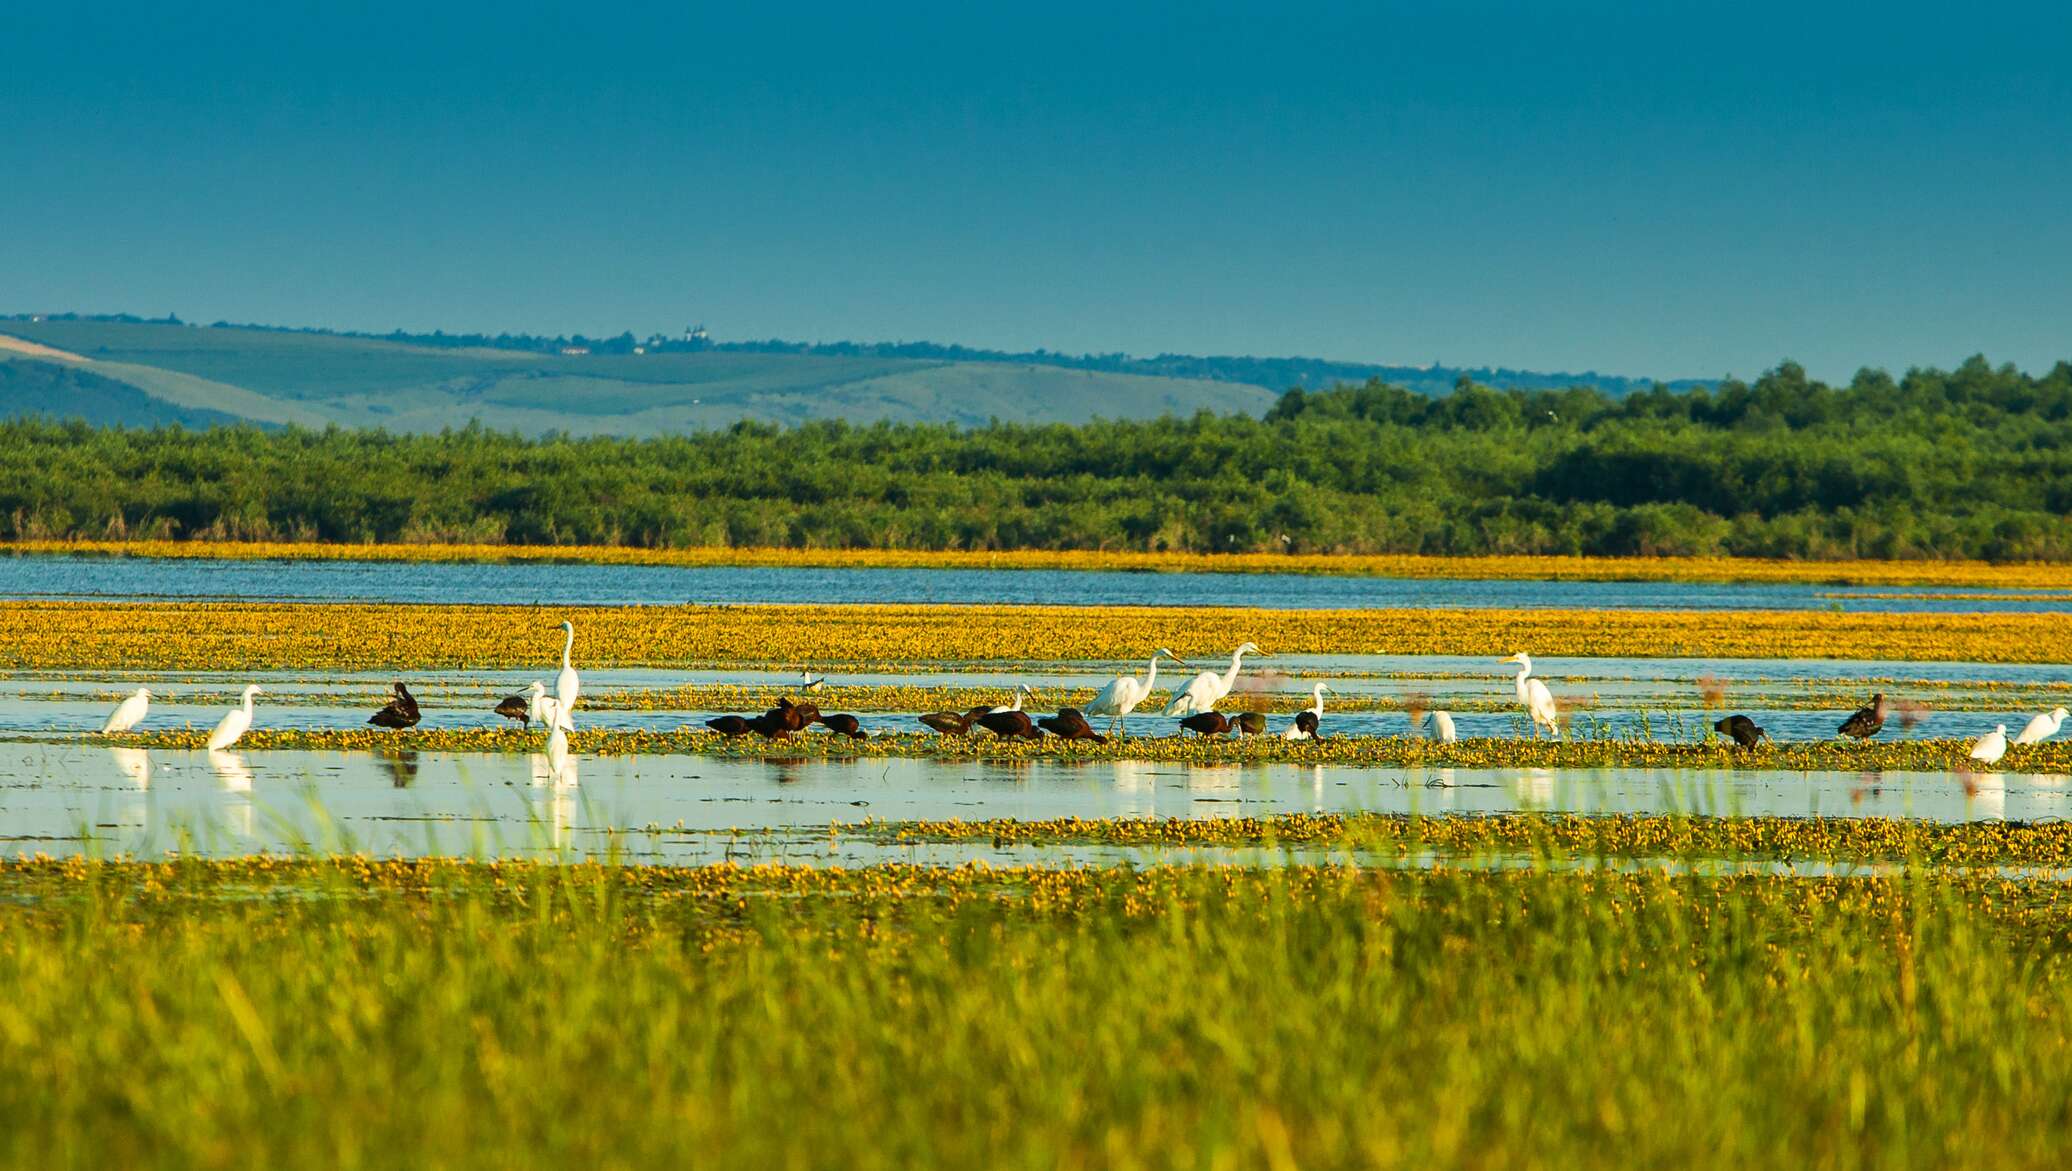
{"x":1654,"y":190}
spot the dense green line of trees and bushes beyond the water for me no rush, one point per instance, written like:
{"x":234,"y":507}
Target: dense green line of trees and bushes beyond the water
{"x":1967,"y":463}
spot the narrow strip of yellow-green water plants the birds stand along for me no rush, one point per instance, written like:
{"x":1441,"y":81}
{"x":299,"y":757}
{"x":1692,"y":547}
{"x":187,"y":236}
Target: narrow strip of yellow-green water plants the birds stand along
{"x":2052,"y":758}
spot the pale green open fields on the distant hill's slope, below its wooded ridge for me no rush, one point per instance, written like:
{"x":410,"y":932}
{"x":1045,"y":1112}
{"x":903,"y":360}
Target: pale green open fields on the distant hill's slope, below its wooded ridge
{"x":272,"y":376}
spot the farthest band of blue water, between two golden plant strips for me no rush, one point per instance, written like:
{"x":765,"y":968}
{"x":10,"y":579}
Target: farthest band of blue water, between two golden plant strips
{"x":63,"y":577}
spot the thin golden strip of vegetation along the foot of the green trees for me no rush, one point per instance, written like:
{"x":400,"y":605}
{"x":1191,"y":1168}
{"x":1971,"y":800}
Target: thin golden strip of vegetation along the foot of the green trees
{"x":1337,"y":565}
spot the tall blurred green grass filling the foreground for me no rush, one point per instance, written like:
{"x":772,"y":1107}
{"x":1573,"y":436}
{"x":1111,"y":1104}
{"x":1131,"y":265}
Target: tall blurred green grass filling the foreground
{"x":442,"y":1015}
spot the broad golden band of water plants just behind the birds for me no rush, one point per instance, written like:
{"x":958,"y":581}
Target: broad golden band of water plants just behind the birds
{"x":229,"y":637}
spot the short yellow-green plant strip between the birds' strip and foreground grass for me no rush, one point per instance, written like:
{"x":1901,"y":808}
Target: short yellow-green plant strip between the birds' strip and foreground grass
{"x":1555,"y":836}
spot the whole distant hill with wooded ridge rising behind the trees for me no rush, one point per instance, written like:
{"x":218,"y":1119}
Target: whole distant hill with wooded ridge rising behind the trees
{"x":123,"y":370}
